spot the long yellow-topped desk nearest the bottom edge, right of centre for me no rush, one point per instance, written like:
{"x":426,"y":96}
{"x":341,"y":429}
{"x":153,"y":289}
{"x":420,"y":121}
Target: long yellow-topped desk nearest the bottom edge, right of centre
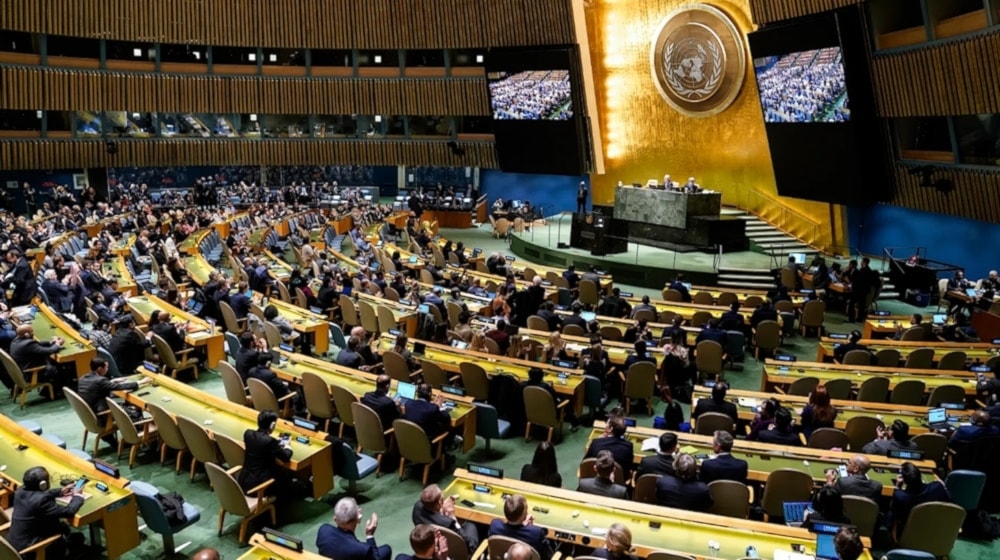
{"x":574,"y":517}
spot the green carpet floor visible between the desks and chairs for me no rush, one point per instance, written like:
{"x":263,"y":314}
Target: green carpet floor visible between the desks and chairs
{"x":386,"y":495}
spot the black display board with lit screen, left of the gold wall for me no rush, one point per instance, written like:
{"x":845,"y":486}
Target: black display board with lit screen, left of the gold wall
{"x":535,"y":101}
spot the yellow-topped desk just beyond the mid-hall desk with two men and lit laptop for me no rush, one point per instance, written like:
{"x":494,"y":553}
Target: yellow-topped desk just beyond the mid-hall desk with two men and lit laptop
{"x":450,"y":360}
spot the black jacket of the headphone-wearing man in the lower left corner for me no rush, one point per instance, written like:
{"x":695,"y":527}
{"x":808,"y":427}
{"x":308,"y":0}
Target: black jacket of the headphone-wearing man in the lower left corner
{"x":36,"y":516}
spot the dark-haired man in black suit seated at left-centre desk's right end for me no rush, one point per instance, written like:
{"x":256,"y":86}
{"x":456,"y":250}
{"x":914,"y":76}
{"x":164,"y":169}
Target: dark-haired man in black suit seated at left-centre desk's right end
{"x":264,"y":454}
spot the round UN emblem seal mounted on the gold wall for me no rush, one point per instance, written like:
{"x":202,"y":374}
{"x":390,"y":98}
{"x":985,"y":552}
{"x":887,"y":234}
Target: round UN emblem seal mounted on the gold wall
{"x":698,"y":61}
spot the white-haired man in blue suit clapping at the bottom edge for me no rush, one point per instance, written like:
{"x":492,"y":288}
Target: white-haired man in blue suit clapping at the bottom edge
{"x":339,"y":541}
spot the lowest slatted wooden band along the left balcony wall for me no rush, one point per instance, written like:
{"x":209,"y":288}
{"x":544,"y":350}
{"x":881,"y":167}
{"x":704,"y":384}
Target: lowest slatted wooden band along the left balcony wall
{"x":75,"y":154}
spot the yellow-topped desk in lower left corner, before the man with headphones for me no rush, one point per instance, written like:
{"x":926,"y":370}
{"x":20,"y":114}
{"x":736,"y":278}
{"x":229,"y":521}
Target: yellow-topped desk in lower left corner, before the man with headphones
{"x":115,"y":509}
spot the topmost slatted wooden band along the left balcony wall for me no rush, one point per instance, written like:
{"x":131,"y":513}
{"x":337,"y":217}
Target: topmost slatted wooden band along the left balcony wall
{"x":329,"y":24}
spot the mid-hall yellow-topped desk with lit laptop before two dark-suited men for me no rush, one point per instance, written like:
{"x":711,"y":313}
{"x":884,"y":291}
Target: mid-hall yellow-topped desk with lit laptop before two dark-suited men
{"x":463,"y":415}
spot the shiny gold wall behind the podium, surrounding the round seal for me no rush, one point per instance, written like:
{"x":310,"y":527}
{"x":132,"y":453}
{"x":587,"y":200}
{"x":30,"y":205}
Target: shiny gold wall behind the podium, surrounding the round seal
{"x":644,"y":138}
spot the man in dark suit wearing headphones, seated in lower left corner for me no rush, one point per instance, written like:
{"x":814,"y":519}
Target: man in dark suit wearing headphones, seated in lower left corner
{"x":37,"y":516}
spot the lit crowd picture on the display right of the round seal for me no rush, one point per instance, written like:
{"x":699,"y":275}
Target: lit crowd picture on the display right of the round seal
{"x":806,"y":86}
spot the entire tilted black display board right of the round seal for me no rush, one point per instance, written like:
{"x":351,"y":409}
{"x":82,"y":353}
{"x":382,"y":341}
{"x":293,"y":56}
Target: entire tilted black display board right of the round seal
{"x":818,"y":106}
